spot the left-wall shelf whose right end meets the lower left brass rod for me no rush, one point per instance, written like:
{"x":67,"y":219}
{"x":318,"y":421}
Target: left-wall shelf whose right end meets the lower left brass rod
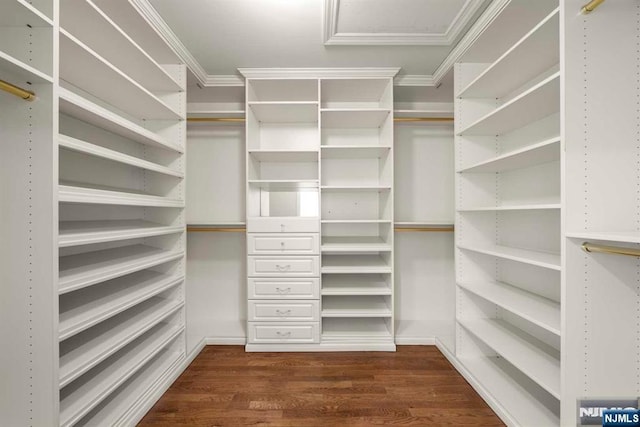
{"x":73,"y":233}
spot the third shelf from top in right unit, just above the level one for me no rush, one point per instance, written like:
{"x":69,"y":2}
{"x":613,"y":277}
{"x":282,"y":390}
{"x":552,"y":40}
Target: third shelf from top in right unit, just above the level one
{"x":535,"y":154}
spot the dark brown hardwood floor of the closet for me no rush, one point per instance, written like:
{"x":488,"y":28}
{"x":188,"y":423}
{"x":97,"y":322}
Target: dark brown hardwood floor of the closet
{"x":416,"y":386}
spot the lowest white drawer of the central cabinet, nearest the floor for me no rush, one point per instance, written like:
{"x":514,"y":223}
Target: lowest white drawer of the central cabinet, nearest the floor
{"x":283,"y":333}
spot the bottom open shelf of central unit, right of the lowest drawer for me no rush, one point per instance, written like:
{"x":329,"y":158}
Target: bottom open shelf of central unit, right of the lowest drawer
{"x":354,"y":329}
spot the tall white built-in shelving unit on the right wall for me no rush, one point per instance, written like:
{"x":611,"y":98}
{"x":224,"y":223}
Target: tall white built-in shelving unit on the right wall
{"x":508,"y":224}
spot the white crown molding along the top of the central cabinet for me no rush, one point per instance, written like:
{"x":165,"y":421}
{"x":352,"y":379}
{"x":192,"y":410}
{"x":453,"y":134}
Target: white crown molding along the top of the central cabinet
{"x":271,"y":73}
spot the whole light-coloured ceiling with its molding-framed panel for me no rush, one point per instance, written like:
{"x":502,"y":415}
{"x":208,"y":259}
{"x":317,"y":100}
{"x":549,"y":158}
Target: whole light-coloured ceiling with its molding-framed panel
{"x":223,"y":35}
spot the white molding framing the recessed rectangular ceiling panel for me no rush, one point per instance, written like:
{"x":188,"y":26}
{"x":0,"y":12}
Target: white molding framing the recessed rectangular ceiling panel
{"x":331,"y":36}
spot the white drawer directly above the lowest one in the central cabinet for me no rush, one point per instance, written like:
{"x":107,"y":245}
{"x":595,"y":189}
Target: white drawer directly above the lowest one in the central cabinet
{"x":284,"y":311}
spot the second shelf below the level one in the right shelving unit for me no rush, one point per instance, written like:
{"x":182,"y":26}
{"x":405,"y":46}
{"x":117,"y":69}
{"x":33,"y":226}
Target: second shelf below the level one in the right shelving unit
{"x":538,"y":310}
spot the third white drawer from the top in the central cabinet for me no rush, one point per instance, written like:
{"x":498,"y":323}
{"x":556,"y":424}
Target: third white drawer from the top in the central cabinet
{"x":283,"y":266}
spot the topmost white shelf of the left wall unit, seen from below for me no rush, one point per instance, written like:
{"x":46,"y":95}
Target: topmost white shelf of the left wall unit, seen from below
{"x":91,"y":25}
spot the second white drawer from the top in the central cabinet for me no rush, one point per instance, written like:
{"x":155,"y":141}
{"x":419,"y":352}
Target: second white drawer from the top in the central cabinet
{"x":272,"y":244}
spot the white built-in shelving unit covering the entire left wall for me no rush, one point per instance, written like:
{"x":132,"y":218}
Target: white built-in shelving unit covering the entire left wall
{"x":104,"y":171}
